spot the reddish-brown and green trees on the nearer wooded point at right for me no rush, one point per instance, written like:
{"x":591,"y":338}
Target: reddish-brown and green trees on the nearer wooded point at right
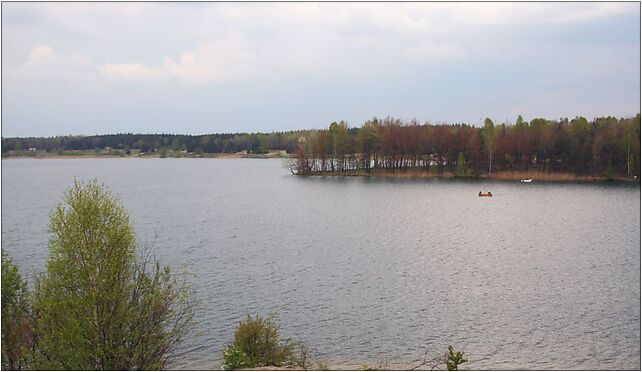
{"x":605,"y":146}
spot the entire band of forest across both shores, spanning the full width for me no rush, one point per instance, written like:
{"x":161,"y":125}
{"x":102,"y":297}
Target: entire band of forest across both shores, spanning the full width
{"x":605,"y":146}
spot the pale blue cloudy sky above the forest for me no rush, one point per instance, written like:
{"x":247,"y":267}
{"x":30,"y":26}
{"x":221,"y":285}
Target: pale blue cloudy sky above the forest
{"x":196,"y":68}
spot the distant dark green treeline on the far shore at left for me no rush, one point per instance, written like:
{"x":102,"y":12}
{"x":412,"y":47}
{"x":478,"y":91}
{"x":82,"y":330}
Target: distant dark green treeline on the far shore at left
{"x":257,"y":143}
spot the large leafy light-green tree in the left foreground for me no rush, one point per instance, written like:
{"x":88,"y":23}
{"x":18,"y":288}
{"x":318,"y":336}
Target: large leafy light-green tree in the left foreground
{"x":99,"y":305}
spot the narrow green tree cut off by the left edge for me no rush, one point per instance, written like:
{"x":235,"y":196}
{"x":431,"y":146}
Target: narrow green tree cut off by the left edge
{"x":17,"y":329}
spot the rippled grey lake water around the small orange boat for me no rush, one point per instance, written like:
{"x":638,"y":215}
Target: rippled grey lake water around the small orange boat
{"x":541,"y":276}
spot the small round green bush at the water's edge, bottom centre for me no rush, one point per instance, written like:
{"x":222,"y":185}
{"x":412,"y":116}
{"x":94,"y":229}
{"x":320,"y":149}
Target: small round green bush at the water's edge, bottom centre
{"x":257,"y":344}
